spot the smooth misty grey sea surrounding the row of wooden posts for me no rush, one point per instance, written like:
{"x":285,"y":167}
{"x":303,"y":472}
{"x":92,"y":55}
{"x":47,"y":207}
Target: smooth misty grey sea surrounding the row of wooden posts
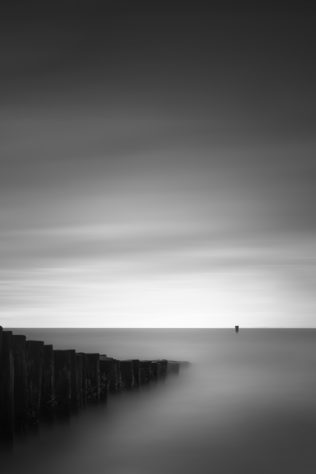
{"x":246,"y":405}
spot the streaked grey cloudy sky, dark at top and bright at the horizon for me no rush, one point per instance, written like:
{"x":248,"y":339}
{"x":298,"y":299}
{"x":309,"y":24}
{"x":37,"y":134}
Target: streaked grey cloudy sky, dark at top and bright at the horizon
{"x":157,"y":164}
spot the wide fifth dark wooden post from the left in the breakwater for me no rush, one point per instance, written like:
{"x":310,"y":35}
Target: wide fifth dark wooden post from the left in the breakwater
{"x":62,"y":359}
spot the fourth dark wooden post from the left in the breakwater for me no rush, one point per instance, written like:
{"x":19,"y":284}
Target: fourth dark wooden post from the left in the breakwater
{"x":48,"y":401}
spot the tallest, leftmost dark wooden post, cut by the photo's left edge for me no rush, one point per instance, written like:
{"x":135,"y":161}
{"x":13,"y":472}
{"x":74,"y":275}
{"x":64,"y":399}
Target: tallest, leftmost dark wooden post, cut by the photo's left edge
{"x":6,"y":387}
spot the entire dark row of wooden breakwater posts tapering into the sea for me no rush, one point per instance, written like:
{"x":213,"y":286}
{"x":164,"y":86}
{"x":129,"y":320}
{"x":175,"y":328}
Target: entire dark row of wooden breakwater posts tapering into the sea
{"x":39,"y":382}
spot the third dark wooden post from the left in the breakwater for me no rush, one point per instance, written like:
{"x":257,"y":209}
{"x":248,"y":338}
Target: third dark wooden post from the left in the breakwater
{"x":34,"y":361}
